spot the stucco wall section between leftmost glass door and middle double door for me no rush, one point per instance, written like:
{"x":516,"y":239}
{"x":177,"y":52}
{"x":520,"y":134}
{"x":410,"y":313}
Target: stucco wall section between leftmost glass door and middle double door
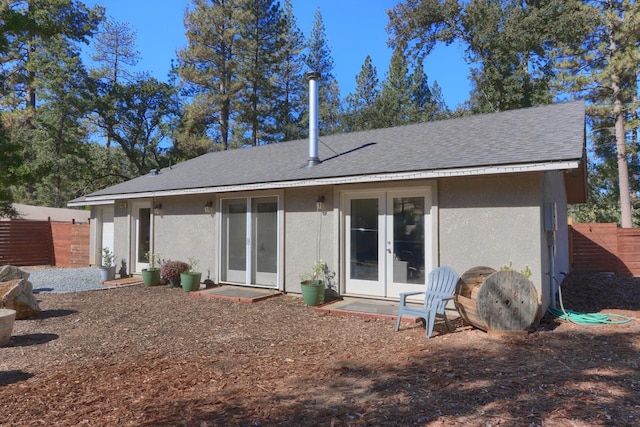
{"x":184,"y":230}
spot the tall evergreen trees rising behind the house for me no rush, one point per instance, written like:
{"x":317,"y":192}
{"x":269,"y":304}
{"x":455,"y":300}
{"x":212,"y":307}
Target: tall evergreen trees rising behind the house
{"x":240,"y":82}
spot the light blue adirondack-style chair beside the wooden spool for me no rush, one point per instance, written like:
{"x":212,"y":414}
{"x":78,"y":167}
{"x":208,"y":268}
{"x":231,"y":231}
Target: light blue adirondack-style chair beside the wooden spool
{"x":441,"y":285}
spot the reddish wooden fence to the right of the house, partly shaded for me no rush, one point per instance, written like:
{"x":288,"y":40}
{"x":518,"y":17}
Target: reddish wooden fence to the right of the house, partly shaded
{"x":605,"y":247}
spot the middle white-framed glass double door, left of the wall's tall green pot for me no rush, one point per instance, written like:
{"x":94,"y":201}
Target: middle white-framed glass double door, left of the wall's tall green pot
{"x":250,"y":244}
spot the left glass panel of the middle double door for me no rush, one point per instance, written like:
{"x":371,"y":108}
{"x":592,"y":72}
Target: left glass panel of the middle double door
{"x":234,"y":240}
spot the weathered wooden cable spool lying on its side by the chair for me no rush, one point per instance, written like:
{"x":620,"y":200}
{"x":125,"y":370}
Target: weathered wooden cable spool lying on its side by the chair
{"x":496,"y":300}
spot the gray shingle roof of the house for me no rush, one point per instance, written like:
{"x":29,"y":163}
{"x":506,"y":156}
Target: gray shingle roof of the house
{"x":542,"y":134}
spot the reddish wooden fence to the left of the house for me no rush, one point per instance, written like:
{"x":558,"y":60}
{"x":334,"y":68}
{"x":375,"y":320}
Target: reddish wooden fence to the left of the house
{"x":28,"y":243}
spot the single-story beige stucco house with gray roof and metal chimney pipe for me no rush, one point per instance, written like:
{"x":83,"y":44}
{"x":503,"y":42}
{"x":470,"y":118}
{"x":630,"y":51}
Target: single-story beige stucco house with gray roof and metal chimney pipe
{"x":381,"y":207}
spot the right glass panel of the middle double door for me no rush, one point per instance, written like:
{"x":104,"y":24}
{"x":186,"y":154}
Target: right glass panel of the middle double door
{"x":265,"y":241}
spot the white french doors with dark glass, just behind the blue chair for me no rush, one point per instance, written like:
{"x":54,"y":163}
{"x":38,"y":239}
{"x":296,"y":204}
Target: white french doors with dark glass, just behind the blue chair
{"x":387,"y":242}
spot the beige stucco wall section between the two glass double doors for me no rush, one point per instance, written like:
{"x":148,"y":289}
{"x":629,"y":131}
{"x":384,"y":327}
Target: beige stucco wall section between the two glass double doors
{"x":308,"y":234}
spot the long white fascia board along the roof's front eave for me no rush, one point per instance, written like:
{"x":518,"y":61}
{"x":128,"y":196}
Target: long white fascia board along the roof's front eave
{"x":356,"y":179}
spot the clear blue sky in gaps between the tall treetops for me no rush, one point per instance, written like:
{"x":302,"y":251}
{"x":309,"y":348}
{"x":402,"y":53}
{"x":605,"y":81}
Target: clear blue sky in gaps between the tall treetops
{"x":354,"y":29}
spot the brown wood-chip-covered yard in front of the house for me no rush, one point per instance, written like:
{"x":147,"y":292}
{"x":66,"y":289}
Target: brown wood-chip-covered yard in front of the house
{"x":156,"y":356}
